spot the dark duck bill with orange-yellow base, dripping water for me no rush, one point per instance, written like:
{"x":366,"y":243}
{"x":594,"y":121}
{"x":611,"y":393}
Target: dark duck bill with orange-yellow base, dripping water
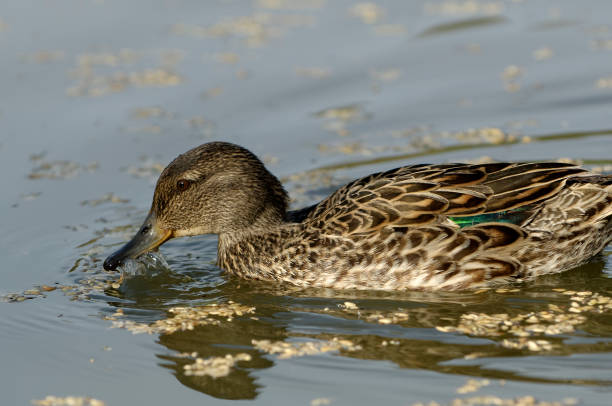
{"x":148,"y":238}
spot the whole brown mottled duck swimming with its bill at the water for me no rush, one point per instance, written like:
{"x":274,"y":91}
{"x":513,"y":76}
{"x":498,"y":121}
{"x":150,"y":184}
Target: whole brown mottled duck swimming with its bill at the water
{"x":428,"y":227}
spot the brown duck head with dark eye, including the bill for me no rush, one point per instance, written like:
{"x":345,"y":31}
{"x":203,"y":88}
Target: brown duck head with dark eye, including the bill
{"x":216,"y":188}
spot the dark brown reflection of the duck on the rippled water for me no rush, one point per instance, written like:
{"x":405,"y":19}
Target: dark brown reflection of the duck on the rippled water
{"x":412,"y":343}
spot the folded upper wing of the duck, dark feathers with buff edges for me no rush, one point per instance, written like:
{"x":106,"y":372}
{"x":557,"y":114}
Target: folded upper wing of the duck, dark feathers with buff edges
{"x":419,"y":195}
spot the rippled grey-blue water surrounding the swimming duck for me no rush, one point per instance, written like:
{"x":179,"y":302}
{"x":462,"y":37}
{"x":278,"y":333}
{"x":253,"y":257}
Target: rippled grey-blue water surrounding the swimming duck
{"x":98,"y":95}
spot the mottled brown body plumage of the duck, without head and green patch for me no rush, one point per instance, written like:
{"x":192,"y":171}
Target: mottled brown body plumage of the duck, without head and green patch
{"x":391,"y":230}
